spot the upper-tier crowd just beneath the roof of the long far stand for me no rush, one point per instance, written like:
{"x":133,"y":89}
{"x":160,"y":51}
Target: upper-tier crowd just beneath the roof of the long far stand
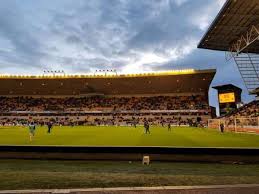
{"x":8,"y":104}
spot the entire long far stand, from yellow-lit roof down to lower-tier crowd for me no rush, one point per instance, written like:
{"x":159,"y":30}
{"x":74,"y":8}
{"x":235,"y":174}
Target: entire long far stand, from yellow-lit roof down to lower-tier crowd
{"x":168,"y":97}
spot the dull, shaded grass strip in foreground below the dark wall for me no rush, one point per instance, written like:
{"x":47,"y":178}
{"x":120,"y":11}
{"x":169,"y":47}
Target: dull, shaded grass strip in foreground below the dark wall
{"x":32,"y":174}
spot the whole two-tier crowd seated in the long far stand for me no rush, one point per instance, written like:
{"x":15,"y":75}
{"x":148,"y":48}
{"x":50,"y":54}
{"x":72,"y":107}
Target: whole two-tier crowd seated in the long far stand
{"x":81,"y":111}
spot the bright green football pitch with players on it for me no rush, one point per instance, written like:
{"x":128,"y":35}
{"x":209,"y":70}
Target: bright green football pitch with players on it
{"x":127,"y":136}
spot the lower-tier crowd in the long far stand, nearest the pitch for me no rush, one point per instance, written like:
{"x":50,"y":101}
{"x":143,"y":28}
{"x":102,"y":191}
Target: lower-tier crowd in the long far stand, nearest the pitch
{"x":102,"y":121}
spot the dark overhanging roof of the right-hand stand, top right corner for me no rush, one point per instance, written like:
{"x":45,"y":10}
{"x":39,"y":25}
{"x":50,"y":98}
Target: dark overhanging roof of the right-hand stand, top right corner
{"x":234,"y":20}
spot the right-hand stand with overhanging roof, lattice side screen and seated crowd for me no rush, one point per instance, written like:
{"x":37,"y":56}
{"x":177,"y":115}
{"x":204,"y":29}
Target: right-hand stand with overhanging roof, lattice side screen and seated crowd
{"x":235,"y":32}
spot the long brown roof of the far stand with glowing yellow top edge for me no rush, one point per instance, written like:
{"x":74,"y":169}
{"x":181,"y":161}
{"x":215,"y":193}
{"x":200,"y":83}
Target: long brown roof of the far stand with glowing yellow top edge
{"x":177,"y":81}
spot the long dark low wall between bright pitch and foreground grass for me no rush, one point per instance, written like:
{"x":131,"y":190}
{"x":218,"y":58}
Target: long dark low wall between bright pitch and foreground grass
{"x":225,"y":155}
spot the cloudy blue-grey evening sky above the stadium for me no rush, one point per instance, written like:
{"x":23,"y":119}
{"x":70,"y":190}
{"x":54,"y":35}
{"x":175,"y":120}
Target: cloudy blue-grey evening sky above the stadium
{"x":80,"y":36}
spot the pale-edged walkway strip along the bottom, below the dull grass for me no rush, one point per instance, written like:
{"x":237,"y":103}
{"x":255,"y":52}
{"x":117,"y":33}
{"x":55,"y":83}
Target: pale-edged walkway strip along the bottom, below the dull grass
{"x":215,"y":189}
